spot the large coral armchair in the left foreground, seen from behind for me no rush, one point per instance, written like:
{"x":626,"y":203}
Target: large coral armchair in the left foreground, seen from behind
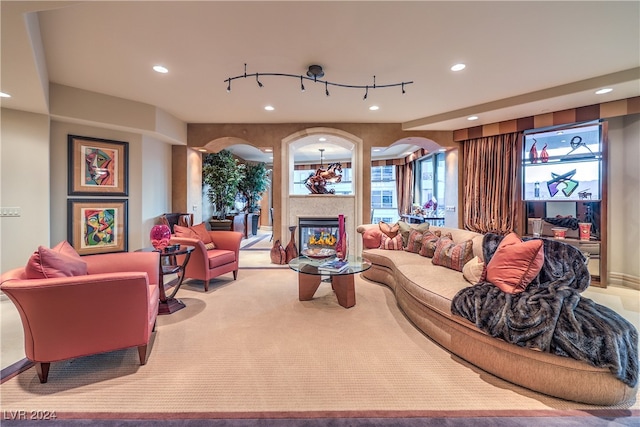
{"x":113,"y":307}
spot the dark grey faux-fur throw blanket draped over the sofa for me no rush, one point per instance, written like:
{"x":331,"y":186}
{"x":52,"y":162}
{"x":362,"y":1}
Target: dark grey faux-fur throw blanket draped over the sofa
{"x":550,"y":315}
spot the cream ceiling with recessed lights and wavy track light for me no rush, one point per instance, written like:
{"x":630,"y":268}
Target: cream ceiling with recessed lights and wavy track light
{"x":522,"y":58}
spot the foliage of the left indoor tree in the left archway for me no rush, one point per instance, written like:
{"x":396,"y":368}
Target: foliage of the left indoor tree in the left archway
{"x":222,"y":173}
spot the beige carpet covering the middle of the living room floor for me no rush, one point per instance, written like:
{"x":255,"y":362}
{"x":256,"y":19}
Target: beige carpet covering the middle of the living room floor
{"x":251,"y":346}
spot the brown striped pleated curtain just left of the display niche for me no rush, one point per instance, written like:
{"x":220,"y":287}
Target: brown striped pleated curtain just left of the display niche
{"x":490,"y":182}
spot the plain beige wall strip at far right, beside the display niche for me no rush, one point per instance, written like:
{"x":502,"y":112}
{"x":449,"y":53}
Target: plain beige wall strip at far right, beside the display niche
{"x":624,"y":201}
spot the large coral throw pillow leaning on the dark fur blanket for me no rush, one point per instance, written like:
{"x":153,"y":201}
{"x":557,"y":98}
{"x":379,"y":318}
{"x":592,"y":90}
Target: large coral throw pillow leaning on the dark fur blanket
{"x":515,"y":263}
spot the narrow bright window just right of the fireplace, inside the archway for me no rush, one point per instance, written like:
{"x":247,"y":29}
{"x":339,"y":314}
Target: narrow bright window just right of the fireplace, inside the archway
{"x":384,"y":203}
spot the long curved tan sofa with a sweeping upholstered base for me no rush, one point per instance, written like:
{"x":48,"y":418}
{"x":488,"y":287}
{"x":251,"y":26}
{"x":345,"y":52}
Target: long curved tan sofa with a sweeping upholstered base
{"x":424,"y":293}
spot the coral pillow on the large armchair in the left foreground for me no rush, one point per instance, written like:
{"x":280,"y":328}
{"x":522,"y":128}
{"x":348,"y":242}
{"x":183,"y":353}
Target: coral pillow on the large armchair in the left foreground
{"x":60,"y":261}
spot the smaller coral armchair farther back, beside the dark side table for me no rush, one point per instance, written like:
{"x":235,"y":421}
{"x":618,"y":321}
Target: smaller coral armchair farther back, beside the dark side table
{"x":206,"y":264}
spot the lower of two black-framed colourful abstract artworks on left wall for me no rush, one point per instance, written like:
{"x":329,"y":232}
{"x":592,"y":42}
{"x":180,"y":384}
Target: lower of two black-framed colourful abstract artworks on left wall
{"x":97,"y":226}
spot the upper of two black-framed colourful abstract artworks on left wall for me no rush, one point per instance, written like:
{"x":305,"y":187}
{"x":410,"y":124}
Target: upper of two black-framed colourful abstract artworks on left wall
{"x":97,"y":167}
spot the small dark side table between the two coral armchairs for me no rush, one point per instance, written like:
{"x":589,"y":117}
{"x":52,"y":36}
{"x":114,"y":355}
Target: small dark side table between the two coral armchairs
{"x":169,"y":265}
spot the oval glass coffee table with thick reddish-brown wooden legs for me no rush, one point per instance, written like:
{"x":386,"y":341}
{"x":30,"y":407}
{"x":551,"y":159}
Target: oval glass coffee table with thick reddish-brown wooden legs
{"x":342,"y":282}
